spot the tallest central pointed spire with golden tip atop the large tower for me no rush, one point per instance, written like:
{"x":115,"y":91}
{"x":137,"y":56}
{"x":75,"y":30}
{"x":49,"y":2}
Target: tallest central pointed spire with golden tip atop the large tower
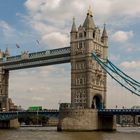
{"x":89,"y":22}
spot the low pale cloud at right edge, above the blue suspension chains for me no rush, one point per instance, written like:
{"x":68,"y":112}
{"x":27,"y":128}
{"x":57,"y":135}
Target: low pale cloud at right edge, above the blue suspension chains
{"x":130,"y":64}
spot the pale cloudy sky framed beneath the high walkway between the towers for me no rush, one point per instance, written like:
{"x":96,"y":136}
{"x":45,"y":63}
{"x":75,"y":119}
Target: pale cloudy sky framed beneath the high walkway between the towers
{"x":44,"y":86}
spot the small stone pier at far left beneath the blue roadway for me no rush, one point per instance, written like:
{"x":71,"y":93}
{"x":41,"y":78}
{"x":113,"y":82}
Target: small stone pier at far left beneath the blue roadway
{"x":9,"y":124}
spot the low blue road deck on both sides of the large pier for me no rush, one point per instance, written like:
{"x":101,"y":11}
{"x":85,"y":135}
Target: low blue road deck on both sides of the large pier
{"x":55,"y":113}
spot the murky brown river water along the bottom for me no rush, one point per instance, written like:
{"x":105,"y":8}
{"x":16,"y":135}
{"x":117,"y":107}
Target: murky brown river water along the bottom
{"x":40,"y":133}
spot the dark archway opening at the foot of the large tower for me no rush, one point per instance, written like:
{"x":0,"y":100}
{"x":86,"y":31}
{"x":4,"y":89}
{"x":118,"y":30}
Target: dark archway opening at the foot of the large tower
{"x":96,"y":102}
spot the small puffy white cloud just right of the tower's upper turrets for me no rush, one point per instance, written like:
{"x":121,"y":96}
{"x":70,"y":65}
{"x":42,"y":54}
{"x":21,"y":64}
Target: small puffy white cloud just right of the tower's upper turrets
{"x":122,"y":36}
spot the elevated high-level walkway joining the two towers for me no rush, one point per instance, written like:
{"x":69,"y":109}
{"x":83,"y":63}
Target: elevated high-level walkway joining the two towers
{"x":36,"y":59}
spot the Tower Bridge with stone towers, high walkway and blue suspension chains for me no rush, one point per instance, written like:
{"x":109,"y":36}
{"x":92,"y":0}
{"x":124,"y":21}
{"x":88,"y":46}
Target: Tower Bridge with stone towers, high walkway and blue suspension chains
{"x":87,"y":55}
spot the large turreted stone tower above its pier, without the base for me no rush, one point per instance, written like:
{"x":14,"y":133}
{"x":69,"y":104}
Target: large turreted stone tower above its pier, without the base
{"x":88,"y":80}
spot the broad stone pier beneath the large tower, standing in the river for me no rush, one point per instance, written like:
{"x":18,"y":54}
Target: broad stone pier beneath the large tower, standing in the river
{"x":84,"y":120}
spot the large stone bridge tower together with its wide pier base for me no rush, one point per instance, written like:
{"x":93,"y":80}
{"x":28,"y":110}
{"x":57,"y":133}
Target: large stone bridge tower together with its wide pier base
{"x":88,"y":80}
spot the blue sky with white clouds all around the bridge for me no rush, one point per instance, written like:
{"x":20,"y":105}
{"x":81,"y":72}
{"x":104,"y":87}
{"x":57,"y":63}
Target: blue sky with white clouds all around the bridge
{"x":23,"y":22}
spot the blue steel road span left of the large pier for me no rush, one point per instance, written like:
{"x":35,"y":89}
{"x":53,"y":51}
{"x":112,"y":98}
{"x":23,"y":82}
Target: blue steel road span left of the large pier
{"x":15,"y":114}
